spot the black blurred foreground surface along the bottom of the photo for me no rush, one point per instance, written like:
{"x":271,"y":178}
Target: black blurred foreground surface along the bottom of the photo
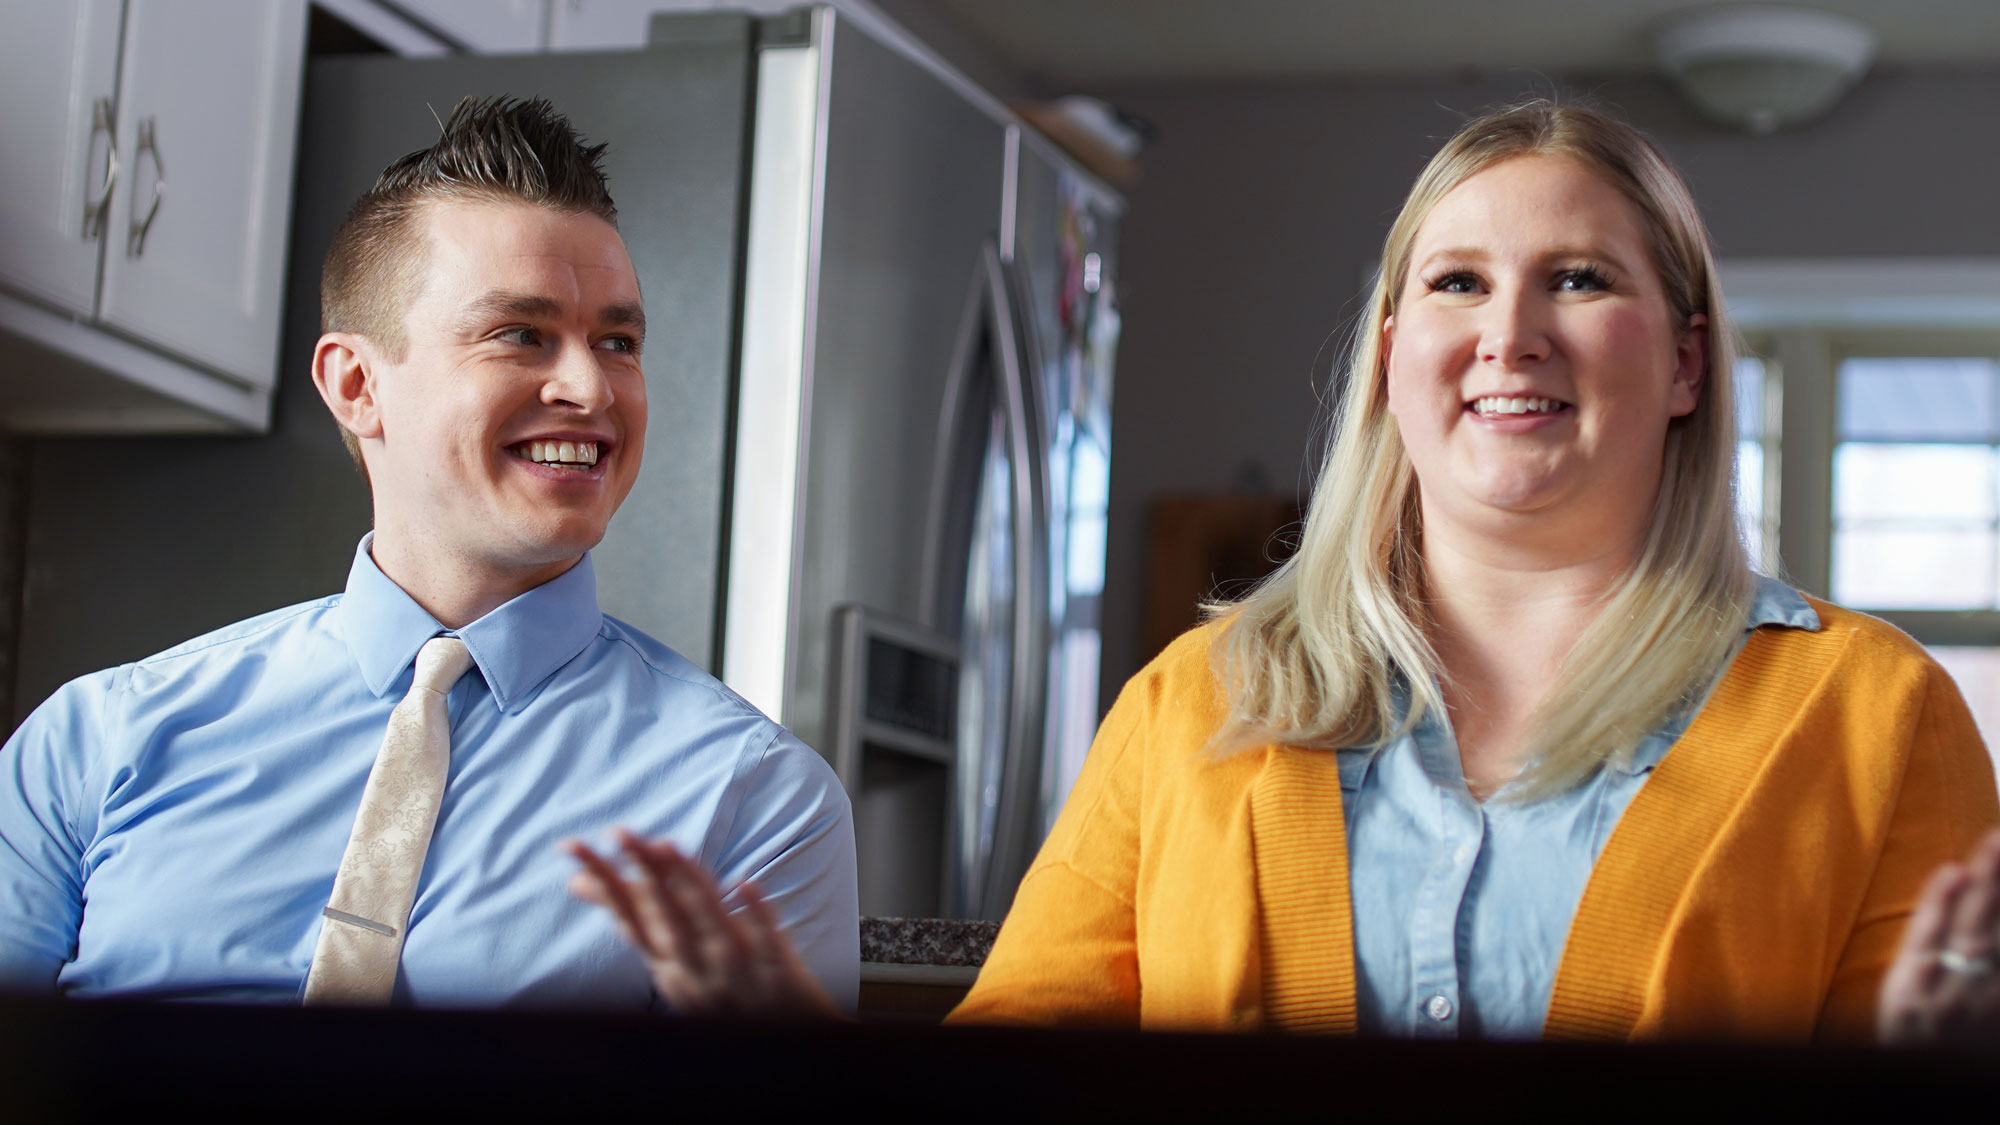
{"x":63,"y":1062}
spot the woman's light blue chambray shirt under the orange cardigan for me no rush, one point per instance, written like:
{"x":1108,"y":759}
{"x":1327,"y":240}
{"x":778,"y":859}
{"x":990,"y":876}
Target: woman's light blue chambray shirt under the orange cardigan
{"x":1461,"y":910}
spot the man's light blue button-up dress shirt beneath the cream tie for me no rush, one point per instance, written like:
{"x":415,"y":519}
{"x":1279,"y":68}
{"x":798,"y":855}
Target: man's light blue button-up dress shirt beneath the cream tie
{"x":171,"y":828}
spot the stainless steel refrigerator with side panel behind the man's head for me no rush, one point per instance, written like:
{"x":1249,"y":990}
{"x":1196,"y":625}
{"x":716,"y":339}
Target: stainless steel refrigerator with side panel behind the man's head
{"x":883,"y":319}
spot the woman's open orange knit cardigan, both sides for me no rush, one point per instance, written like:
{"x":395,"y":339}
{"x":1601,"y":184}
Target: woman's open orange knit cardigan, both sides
{"x":1755,"y":888}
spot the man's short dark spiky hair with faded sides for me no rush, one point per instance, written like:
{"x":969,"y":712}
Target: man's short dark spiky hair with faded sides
{"x":491,"y":149}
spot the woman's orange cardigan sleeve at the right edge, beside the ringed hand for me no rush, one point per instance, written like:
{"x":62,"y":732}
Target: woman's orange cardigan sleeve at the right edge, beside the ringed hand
{"x":1947,"y":802}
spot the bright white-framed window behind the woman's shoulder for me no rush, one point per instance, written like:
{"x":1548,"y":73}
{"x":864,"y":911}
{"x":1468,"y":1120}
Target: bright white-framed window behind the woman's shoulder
{"x":1869,"y":469}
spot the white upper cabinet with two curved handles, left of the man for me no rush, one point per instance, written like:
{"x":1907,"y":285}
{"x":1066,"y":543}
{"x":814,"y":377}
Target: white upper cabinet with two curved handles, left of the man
{"x":145,"y":211}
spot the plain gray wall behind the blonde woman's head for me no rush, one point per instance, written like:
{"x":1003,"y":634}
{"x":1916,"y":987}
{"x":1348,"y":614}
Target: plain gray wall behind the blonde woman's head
{"x":1267,"y":203}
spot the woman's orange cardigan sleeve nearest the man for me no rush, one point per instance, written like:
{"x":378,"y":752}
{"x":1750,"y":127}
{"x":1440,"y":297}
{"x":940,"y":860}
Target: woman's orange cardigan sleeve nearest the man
{"x":1067,"y":952}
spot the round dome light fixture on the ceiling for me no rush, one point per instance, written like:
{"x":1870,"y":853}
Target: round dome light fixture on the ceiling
{"x":1763,"y":67}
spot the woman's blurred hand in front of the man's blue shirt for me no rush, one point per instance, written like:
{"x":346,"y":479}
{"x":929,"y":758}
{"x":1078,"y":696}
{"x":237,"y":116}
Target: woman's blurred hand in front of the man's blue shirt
{"x":703,"y":958}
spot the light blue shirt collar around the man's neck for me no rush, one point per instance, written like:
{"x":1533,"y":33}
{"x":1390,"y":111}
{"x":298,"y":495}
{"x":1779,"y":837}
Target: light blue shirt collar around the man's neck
{"x":515,"y":648}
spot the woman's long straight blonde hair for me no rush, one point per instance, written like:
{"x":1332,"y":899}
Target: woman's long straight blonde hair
{"x":1313,"y":656}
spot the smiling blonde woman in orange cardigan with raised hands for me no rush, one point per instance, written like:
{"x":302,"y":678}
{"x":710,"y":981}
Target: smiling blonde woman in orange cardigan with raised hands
{"x":1515,"y":746}
